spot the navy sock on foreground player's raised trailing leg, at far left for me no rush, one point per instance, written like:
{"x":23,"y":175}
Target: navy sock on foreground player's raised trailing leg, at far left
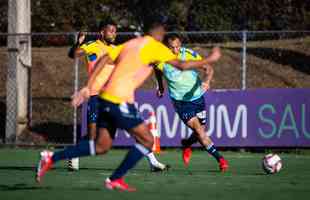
{"x":84,"y":148}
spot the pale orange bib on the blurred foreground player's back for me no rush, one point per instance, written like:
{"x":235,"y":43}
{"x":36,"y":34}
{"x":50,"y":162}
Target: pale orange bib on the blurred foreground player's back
{"x":130,"y":70}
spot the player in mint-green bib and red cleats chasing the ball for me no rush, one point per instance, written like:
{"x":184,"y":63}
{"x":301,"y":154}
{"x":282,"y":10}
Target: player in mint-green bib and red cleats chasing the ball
{"x":186,"y":92}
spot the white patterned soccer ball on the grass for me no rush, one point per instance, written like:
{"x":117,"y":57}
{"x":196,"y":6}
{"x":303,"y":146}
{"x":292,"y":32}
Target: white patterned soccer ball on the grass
{"x":272,"y":163}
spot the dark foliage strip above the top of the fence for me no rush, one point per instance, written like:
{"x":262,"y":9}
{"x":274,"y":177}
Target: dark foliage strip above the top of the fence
{"x":71,"y":15}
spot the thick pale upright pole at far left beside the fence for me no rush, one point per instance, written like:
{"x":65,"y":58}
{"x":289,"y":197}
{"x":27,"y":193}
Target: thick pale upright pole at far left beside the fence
{"x":19,"y":49}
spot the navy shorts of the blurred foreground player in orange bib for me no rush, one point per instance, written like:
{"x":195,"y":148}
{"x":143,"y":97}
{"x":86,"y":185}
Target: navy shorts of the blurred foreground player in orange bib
{"x":113,"y":116}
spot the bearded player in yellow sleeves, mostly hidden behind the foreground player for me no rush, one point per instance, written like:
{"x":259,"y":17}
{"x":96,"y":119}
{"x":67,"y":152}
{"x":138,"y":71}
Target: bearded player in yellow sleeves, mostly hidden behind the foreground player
{"x":93,"y":51}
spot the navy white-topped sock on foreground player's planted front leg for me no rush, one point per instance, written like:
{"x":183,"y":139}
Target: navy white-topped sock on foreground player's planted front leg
{"x":133,"y":156}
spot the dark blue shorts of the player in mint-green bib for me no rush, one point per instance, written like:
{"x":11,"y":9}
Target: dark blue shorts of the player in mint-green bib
{"x":189,"y":109}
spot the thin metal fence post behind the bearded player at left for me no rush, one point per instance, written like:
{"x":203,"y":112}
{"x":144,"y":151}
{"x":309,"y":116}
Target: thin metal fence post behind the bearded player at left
{"x":76,"y":86}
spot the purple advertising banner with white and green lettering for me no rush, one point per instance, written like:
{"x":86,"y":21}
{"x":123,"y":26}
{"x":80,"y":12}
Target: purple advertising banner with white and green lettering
{"x":235,"y":118}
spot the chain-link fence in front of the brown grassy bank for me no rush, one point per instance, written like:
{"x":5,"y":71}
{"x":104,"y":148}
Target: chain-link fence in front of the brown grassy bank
{"x":250,"y":60}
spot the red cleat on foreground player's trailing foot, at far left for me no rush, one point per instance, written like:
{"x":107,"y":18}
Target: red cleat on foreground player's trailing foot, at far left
{"x":44,"y":165}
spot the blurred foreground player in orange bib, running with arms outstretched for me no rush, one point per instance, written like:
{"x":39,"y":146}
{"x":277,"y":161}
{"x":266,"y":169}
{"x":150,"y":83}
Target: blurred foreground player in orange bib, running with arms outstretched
{"x":116,"y":102}
